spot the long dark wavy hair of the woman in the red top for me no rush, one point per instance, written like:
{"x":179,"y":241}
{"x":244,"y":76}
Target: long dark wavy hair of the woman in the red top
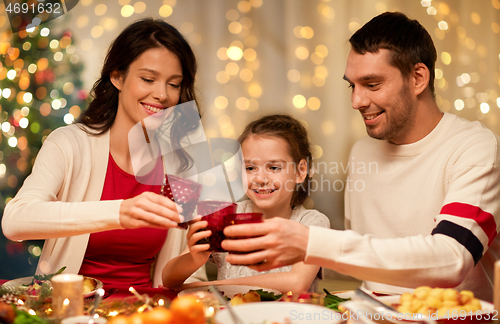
{"x":134,"y":40}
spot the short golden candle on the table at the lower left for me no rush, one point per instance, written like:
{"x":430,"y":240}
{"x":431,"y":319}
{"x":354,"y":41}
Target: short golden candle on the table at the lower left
{"x":67,"y":295}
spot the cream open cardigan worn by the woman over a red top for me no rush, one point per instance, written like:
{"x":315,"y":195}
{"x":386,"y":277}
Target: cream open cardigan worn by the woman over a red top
{"x":60,"y":202}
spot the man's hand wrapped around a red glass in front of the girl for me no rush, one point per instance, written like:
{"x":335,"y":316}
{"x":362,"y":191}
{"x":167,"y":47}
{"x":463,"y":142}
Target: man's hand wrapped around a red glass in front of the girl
{"x":275,"y":243}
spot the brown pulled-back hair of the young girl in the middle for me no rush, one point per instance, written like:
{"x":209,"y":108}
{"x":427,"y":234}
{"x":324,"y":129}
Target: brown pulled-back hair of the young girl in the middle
{"x":295,"y":134}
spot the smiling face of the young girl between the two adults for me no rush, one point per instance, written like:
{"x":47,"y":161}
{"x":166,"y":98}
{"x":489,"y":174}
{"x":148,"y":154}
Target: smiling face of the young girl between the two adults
{"x":271,"y":173}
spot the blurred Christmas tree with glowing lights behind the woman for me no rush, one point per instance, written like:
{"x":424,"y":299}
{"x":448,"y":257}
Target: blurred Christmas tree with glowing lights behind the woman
{"x":41,"y":89}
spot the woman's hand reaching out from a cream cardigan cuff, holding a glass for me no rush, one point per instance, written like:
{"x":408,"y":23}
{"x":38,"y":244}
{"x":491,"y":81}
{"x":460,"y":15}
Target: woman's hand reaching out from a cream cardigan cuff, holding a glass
{"x":149,"y":210}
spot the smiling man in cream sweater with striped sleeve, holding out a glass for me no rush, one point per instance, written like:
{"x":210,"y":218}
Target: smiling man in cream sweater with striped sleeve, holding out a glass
{"x":429,"y":215}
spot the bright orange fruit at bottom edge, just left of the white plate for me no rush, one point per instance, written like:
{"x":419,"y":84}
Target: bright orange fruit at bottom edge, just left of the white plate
{"x":187,"y":309}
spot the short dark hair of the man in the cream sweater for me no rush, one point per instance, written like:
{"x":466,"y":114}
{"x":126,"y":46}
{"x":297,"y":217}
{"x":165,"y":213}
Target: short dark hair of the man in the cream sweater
{"x":408,"y":41}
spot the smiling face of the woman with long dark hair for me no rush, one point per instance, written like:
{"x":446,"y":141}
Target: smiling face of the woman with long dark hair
{"x":151,"y":85}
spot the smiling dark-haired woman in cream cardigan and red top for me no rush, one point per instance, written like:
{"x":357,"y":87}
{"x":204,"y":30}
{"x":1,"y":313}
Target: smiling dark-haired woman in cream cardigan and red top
{"x":82,"y":196}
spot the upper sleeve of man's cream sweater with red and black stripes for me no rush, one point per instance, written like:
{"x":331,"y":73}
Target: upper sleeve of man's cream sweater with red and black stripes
{"x":471,"y":210}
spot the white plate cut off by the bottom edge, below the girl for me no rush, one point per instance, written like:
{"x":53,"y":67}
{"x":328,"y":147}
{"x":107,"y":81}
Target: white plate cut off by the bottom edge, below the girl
{"x":256,"y":313}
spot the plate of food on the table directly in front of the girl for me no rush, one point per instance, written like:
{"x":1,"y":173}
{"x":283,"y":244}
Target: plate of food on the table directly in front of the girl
{"x":239,"y":294}
